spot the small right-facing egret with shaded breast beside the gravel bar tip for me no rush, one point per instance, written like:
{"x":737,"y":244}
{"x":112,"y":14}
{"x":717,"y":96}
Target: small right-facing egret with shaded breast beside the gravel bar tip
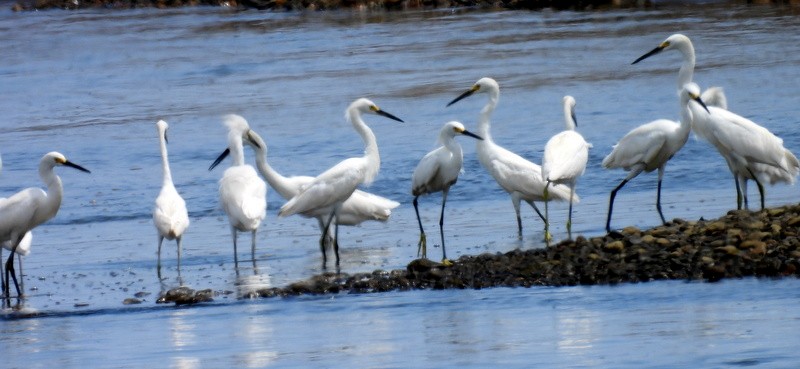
{"x":437,"y":171}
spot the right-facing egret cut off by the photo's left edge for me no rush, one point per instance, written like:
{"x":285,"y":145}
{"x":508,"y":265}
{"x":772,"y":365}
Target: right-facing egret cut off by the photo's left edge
{"x":30,"y":207}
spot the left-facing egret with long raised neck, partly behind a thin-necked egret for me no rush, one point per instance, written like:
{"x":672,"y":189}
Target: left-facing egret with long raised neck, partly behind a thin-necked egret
{"x":519,"y":177}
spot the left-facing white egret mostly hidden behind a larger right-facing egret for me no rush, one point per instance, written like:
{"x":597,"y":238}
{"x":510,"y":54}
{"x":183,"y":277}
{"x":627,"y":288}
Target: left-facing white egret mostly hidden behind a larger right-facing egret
{"x":361,"y":206}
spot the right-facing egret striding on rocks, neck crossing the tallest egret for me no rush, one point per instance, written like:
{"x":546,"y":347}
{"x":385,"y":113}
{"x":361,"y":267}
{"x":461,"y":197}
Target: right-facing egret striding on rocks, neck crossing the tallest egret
{"x":650,"y":146}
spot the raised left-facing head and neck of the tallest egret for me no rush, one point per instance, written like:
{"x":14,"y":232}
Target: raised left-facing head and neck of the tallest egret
{"x":713,"y":96}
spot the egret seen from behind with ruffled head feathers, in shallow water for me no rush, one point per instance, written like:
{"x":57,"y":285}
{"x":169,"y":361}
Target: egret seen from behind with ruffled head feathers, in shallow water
{"x":242,"y":194}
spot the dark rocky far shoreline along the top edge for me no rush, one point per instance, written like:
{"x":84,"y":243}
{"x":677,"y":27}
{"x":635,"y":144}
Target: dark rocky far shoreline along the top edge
{"x":293,"y":5}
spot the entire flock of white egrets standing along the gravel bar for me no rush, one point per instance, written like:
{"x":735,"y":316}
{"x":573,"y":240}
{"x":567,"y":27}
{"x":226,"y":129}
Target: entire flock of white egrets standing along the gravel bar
{"x":333,"y":197}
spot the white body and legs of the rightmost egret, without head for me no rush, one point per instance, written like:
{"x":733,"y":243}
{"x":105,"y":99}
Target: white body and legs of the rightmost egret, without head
{"x":751,"y":151}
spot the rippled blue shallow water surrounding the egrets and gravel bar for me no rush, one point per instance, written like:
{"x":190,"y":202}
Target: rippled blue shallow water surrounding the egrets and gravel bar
{"x":91,"y":85}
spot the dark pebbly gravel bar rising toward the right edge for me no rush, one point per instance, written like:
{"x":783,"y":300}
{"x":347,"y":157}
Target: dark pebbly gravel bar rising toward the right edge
{"x":740,"y":244}
